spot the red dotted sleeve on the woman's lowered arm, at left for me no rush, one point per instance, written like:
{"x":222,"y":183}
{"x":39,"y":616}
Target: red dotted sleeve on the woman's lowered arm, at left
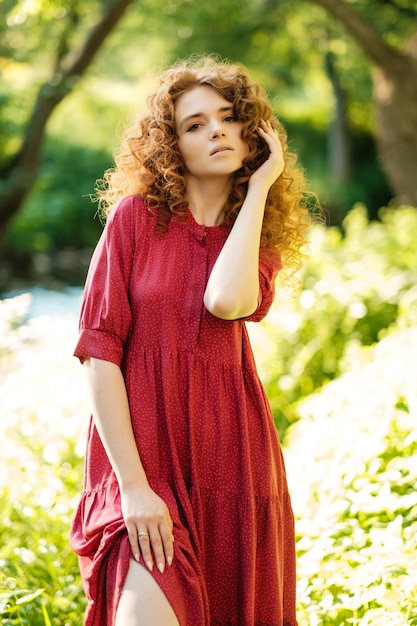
{"x":105,"y":311}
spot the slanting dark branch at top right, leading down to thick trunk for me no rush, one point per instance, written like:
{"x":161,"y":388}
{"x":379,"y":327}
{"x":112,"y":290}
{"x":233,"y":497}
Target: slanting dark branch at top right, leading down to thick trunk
{"x":367,"y":37}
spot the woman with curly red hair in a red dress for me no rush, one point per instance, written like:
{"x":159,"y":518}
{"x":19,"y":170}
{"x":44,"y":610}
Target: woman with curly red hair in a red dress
{"x":185,"y":518}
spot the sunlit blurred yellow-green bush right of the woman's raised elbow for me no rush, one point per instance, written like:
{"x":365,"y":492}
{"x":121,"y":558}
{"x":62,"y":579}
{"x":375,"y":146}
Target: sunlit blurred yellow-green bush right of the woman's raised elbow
{"x":352,"y":289}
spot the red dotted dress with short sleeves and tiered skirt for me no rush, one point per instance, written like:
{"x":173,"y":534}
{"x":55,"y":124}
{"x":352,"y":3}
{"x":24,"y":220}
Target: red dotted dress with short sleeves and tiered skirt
{"x":203,"y":428}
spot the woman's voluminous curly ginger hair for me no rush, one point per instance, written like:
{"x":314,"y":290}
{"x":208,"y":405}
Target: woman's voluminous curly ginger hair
{"x":150,"y":164}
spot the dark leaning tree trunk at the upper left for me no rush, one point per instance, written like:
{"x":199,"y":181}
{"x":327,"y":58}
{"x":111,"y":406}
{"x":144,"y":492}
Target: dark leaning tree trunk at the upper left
{"x":18,"y":176}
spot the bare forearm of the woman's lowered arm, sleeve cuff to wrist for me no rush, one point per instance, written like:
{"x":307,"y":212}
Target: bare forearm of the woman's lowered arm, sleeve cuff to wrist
{"x":112,"y":419}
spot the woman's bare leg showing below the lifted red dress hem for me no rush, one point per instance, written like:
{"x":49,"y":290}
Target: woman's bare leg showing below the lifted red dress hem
{"x":142,"y":601}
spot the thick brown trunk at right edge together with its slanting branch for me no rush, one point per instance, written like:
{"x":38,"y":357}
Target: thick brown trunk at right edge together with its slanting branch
{"x":395,"y":90}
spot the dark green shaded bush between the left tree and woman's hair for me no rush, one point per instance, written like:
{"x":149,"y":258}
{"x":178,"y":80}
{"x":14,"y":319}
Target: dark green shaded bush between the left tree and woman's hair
{"x":56,"y":231}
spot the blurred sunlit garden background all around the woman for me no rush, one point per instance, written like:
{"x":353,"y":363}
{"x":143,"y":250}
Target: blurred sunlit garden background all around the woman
{"x":338,"y":361}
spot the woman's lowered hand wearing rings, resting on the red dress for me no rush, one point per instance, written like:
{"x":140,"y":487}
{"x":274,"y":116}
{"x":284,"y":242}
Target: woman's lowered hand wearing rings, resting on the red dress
{"x":149,"y":526}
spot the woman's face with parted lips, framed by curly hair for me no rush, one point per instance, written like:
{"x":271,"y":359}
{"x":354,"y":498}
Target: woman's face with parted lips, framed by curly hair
{"x":209,"y":136}
